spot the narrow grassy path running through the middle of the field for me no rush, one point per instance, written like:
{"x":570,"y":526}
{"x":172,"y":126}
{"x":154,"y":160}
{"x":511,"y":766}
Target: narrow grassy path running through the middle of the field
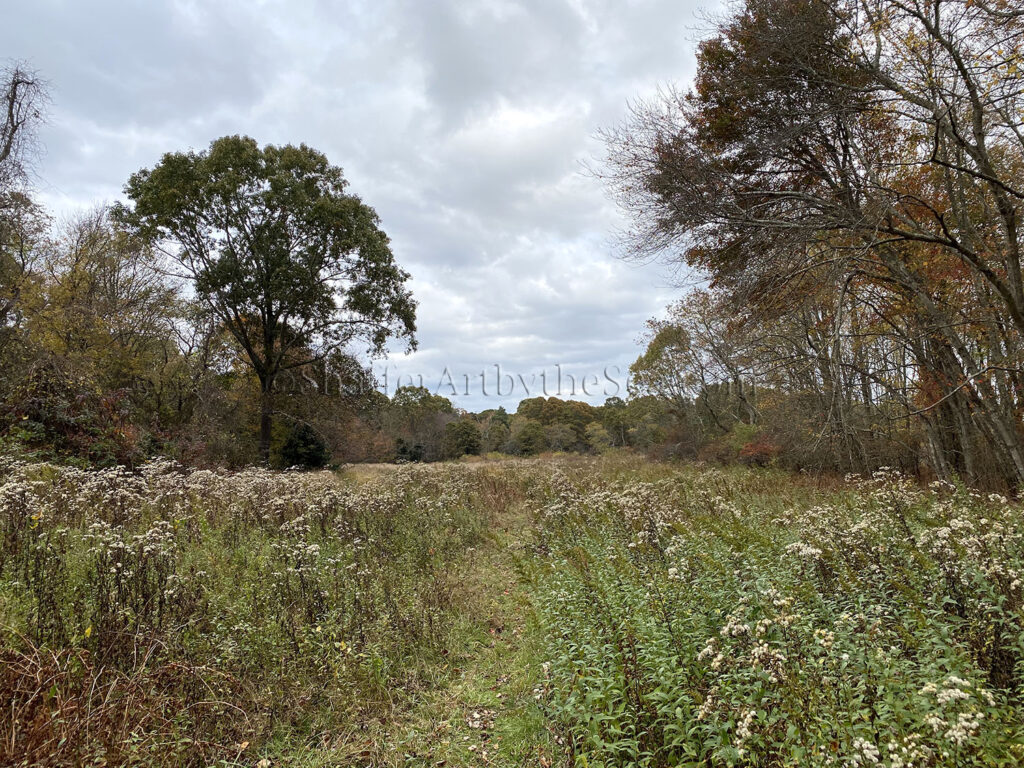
{"x":483,"y":712}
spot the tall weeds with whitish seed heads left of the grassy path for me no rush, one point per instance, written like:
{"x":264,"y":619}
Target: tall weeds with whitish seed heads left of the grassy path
{"x":186,"y":618}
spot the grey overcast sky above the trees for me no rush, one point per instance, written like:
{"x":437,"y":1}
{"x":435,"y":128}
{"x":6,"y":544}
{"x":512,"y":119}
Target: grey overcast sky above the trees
{"x":465,"y":123}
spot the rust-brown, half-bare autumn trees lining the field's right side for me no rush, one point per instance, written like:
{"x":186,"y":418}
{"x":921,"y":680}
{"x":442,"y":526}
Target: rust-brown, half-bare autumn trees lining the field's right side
{"x":845,"y":179}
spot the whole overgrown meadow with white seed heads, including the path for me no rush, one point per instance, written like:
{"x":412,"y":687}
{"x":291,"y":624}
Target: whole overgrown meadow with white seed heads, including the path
{"x":567,"y":612}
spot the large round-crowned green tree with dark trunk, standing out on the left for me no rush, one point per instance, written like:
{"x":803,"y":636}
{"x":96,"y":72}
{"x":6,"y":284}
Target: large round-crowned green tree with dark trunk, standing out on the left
{"x":293,"y":265}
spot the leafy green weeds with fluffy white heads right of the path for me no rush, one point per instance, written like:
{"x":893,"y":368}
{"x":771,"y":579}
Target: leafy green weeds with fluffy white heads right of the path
{"x":709,"y":618}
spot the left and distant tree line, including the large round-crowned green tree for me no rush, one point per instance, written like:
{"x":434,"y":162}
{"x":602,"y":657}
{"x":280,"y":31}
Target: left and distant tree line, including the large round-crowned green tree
{"x":223,"y":316}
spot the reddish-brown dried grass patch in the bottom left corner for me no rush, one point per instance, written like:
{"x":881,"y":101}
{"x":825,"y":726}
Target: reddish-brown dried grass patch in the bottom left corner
{"x":65,"y":710}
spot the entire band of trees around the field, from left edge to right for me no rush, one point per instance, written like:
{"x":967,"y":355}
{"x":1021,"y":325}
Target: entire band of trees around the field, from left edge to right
{"x":843,"y":181}
